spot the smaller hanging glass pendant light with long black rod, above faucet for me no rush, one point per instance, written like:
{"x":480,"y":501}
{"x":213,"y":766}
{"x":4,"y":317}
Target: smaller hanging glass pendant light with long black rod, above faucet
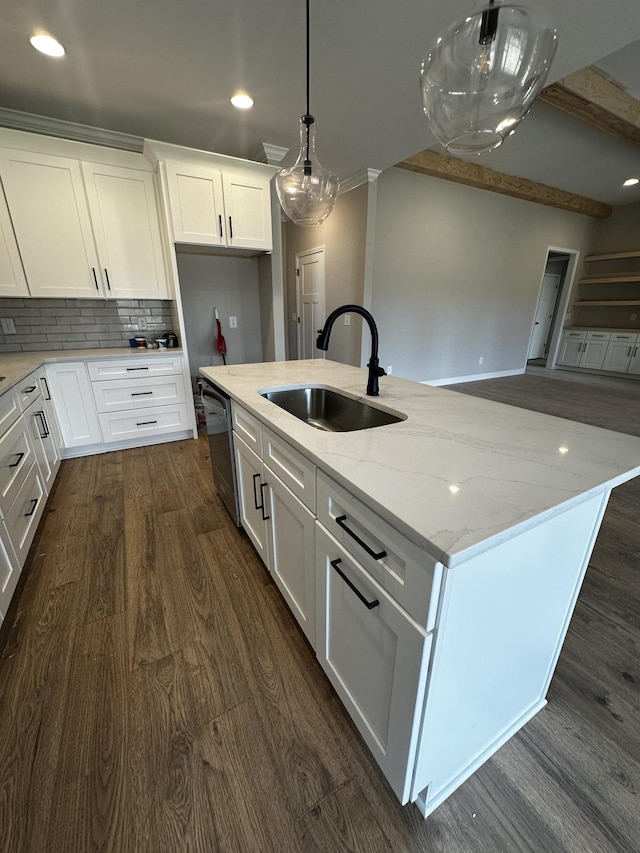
{"x":307,"y":191}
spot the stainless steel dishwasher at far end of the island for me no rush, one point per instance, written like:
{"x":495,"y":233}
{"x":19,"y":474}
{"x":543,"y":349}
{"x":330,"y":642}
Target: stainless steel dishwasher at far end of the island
{"x":217,"y":409}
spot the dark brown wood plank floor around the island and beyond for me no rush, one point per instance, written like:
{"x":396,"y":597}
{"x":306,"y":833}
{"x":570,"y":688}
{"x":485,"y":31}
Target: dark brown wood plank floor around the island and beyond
{"x":156,"y":695}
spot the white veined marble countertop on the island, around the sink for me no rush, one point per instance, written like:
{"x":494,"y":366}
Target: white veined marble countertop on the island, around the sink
{"x":460,"y":474}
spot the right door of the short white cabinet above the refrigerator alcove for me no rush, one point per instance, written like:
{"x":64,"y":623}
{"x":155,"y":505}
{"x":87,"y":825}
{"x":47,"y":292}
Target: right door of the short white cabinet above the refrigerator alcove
{"x":247,"y":203}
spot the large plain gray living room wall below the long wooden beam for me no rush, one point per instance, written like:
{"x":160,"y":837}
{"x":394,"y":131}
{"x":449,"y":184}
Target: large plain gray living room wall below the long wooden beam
{"x":457,"y":273}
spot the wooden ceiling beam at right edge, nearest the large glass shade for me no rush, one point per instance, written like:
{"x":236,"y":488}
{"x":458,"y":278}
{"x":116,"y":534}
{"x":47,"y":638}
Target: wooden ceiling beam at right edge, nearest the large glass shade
{"x":593,"y":99}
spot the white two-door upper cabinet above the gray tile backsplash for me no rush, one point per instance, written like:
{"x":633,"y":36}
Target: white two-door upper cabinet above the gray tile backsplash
{"x":83,"y":229}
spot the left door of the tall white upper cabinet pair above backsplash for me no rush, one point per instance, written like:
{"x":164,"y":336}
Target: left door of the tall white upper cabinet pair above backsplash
{"x":48,"y":208}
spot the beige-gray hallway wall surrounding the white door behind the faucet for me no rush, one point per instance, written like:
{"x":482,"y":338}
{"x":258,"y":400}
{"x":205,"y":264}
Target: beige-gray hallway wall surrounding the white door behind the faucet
{"x":343,"y":236}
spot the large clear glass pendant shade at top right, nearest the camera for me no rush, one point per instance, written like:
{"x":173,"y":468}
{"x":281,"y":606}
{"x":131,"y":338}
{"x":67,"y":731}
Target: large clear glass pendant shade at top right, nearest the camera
{"x":482,"y":75}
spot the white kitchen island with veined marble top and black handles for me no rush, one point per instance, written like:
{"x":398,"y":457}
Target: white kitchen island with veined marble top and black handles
{"x":487,"y":515}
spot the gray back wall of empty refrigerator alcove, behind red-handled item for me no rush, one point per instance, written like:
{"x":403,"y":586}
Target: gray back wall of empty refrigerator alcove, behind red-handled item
{"x":231,"y":286}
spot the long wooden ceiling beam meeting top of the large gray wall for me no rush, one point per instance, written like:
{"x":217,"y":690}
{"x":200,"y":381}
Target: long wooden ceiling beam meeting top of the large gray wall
{"x":462,"y":172}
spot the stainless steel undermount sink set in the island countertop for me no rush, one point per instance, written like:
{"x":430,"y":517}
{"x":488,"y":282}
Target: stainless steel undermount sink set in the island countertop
{"x":329,"y":410}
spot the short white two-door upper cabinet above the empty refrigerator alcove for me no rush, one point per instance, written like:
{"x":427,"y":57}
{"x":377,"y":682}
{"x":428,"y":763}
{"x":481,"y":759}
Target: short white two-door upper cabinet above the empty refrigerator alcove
{"x":215,"y":208}
